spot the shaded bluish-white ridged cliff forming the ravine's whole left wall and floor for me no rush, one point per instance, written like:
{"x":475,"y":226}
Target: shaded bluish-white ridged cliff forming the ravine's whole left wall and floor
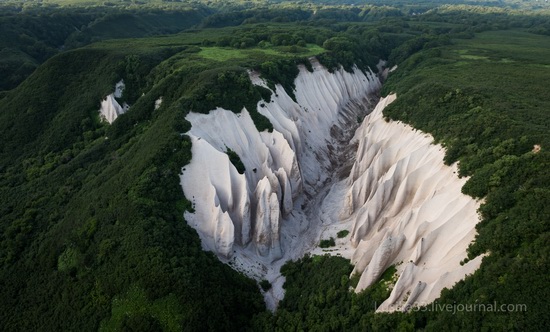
{"x":253,"y":228}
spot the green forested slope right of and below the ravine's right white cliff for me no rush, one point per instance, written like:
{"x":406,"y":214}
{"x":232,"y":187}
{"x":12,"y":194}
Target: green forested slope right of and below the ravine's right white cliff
{"x":484,"y":99}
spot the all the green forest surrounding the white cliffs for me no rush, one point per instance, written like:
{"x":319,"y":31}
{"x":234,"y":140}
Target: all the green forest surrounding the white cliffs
{"x":92,"y":234}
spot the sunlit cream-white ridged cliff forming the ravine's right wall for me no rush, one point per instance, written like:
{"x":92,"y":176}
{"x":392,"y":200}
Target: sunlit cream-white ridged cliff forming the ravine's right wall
{"x":403,"y":206}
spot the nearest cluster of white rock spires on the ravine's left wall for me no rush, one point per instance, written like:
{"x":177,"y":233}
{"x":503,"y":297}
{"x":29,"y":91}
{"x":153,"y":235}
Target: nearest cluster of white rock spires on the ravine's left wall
{"x":265,"y":189}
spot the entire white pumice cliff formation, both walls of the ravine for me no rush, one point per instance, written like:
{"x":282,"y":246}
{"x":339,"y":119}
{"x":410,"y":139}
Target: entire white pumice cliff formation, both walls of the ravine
{"x":323,"y":170}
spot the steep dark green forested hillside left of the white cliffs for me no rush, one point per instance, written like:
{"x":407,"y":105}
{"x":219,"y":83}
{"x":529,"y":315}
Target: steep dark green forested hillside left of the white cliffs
{"x":92,"y":214}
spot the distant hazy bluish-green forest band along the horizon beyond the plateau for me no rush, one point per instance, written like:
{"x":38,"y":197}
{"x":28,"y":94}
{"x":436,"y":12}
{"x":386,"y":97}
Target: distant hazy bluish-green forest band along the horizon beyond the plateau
{"x":33,"y":31}
